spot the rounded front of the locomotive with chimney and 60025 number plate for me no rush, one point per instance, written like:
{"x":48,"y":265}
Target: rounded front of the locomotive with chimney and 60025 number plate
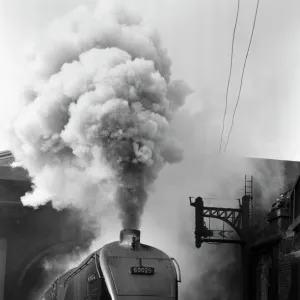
{"x":135,"y":271}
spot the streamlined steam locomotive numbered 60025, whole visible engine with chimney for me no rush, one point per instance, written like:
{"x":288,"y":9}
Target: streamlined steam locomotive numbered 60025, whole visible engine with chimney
{"x":125,"y":269}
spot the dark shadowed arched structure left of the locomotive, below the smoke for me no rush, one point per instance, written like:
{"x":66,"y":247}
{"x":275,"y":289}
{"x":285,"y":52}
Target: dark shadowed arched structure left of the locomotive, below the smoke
{"x":28,"y":236}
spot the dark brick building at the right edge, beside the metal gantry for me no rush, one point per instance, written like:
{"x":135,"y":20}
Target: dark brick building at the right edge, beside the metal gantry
{"x":275,"y":272}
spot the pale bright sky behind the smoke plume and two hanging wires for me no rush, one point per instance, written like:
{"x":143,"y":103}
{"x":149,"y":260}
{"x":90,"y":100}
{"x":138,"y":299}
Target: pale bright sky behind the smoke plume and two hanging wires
{"x":198,"y":36}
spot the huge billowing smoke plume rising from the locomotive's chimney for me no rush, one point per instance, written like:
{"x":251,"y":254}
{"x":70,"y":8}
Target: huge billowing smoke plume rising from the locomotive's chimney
{"x":94,"y":125}
